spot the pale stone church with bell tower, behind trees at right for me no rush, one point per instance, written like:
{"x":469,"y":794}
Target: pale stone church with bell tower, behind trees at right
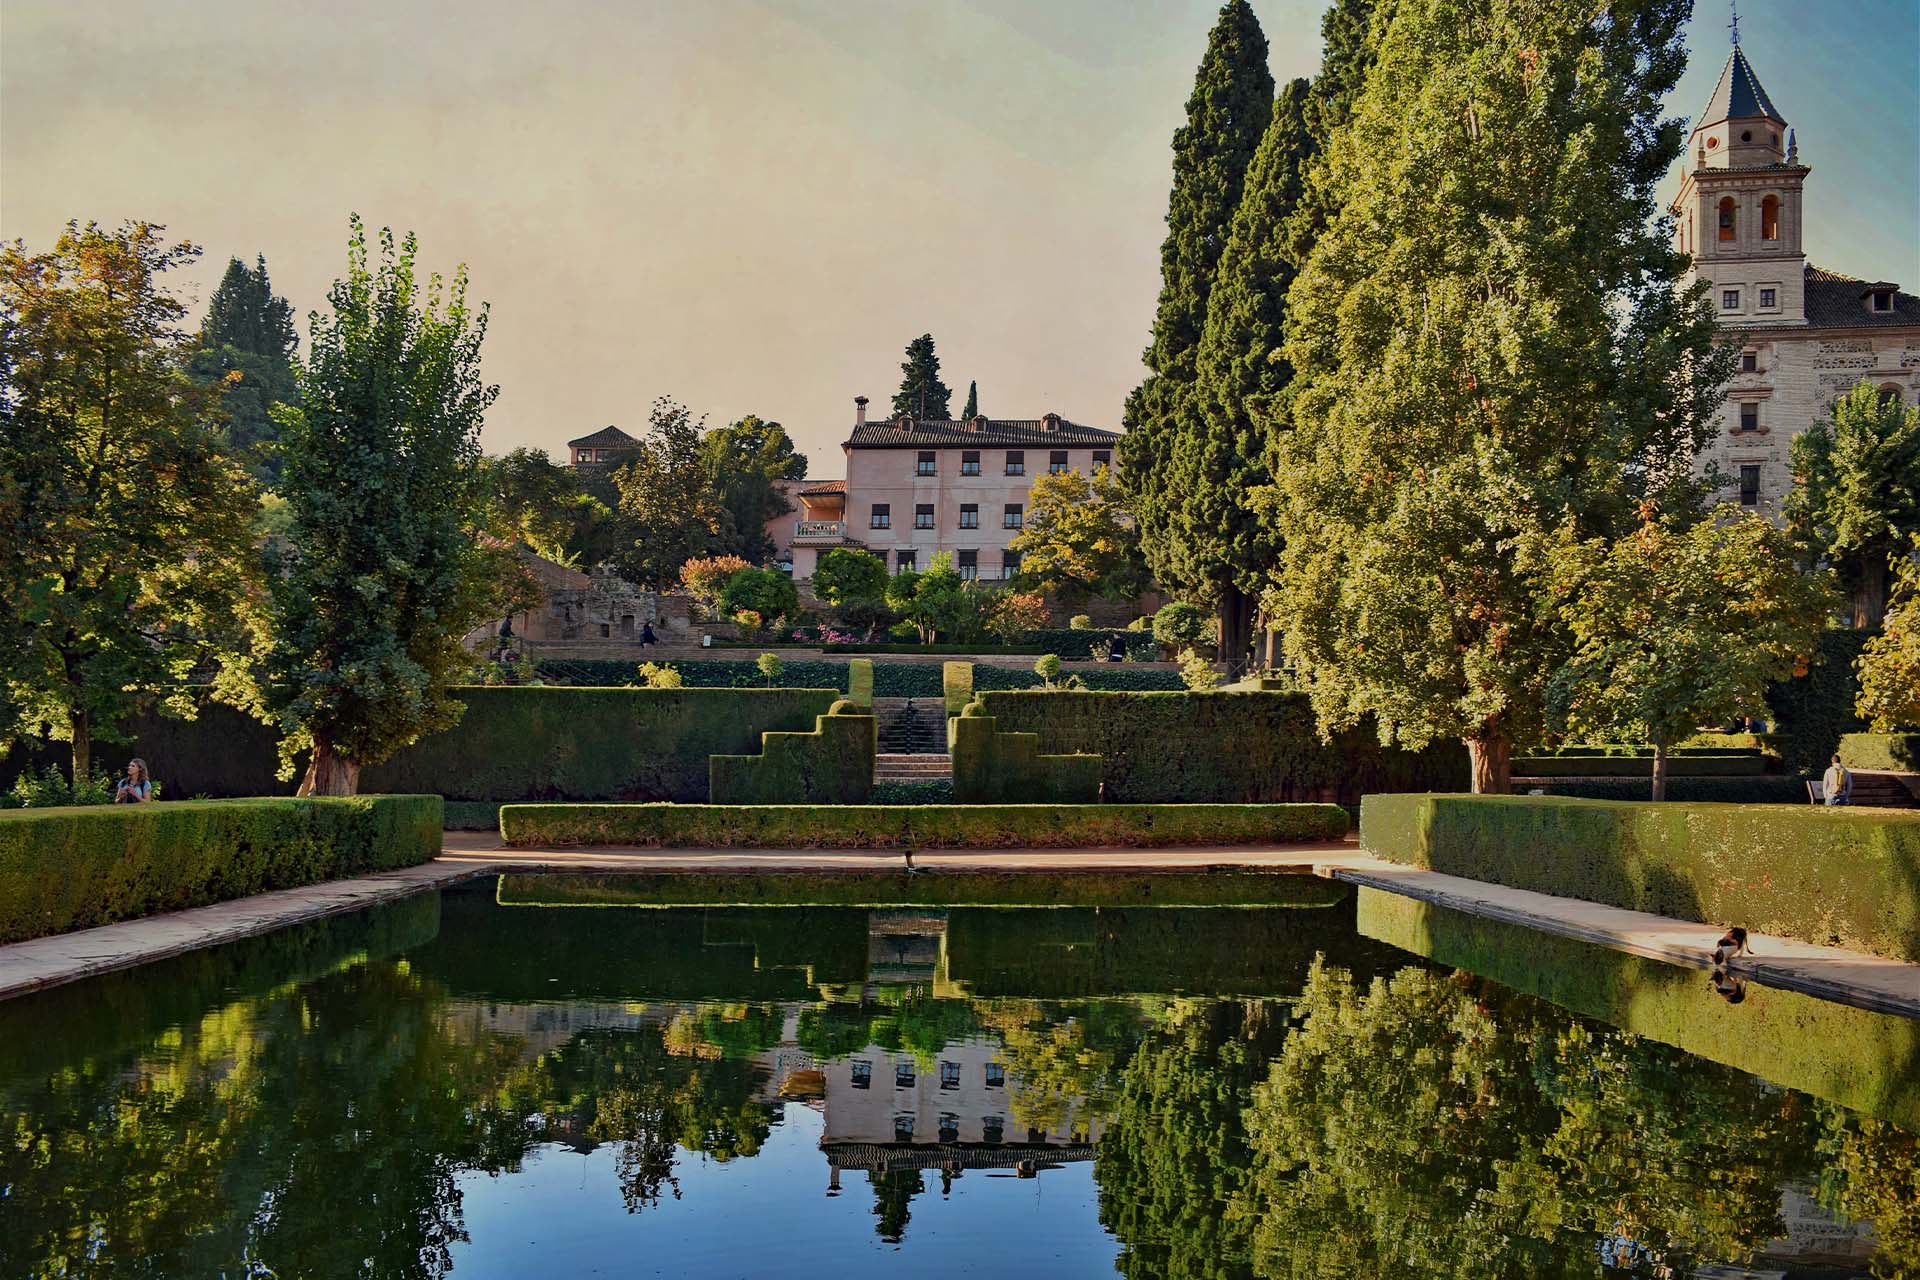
{"x":1806,"y":335}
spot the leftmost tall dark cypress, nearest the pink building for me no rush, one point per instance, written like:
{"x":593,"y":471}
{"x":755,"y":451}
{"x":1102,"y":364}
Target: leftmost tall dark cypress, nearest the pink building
{"x":1226,"y":118}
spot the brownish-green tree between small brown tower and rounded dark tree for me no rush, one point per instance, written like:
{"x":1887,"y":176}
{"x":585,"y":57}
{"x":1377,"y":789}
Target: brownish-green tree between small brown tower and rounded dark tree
{"x":667,"y":498}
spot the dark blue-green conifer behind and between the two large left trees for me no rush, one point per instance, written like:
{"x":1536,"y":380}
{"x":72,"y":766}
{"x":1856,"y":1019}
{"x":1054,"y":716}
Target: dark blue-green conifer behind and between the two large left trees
{"x":247,"y":352}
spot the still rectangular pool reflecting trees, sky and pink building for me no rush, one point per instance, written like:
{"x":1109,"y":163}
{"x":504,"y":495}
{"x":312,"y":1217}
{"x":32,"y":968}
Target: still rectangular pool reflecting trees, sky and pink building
{"x":519,"y":1079}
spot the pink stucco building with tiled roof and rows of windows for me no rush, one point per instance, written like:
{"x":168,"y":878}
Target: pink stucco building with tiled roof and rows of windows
{"x":915,"y":490}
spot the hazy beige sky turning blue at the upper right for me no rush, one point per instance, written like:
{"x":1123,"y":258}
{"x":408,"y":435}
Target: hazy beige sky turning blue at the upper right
{"x":754,"y":206}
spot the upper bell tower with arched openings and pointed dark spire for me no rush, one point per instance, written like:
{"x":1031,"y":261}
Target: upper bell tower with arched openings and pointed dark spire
{"x":1739,"y":210}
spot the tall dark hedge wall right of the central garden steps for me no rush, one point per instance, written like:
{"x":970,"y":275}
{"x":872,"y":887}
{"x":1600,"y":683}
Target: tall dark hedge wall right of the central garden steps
{"x":1222,"y":747}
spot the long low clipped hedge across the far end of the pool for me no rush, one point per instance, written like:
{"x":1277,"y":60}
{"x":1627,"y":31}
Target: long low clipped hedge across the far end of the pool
{"x":919,"y":826}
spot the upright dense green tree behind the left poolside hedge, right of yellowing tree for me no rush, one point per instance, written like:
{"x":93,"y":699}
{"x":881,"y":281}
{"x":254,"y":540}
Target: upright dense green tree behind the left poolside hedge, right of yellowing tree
{"x":383,"y":573}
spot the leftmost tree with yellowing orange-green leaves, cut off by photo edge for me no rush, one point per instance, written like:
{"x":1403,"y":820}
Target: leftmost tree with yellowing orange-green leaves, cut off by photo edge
{"x":126,"y":531}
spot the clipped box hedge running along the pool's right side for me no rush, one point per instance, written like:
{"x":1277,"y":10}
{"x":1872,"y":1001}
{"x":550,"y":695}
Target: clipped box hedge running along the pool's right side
{"x":1836,"y":878}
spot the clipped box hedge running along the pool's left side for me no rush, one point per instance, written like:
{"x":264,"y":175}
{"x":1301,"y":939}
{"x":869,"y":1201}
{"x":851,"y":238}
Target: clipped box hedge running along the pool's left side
{"x":72,"y":868}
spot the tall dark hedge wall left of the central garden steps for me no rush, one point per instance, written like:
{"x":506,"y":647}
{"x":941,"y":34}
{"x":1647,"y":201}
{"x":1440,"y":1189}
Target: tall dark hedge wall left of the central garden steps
{"x":535,"y":744}
